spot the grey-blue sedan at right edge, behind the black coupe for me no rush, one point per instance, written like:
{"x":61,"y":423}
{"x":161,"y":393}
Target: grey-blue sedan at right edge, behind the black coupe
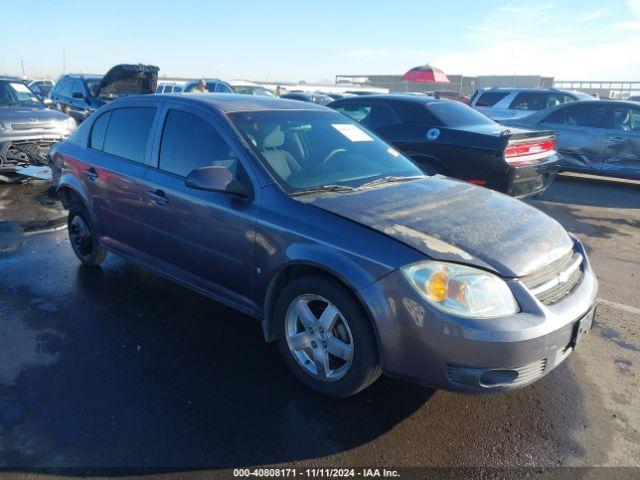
{"x":601,"y":137}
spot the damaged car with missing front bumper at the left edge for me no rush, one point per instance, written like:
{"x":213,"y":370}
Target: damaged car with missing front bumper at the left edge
{"x":27,"y":128}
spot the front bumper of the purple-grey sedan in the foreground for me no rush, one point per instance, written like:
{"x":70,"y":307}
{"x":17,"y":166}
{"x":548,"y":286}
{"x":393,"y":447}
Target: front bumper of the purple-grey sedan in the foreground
{"x":421,"y":344}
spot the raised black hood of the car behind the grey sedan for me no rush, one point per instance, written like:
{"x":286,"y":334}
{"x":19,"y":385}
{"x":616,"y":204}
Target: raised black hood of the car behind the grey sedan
{"x":128,"y":79}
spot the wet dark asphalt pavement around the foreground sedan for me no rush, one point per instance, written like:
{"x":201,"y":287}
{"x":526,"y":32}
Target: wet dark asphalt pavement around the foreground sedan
{"x":113,"y":370}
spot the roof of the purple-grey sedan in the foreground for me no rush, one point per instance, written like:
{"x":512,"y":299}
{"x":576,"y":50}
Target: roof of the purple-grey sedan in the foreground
{"x":226,"y":102}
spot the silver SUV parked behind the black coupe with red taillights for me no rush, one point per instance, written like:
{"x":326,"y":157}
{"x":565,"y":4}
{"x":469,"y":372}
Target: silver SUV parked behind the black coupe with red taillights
{"x":510,"y":103}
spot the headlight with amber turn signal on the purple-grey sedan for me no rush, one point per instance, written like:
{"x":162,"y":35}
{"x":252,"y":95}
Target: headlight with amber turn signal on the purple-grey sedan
{"x":461,"y":290}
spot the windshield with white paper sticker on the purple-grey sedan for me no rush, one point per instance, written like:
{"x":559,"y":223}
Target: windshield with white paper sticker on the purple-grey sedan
{"x":311,"y":149}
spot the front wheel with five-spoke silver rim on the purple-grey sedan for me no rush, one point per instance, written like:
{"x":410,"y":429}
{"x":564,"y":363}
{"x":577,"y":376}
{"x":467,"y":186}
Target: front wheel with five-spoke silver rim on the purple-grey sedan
{"x":325,"y":337}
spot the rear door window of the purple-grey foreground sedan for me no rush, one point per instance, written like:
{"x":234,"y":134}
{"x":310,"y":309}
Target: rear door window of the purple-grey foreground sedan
{"x":128,"y":131}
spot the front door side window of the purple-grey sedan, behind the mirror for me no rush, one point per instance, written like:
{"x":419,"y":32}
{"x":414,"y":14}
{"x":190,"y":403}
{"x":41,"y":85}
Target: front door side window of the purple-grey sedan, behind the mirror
{"x":190,"y":142}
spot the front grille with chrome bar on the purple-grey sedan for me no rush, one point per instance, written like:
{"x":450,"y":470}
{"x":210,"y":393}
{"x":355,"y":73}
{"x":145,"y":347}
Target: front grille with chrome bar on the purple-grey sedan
{"x":557,"y":280}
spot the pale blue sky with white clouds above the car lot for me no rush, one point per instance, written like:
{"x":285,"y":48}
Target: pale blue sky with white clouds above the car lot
{"x":313,"y":40}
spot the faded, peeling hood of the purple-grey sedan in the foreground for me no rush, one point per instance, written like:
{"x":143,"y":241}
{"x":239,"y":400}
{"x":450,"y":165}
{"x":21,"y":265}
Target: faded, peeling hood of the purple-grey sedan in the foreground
{"x":454,"y":221}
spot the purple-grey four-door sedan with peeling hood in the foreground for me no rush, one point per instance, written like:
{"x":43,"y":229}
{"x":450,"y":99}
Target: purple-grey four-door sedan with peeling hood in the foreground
{"x":351,"y":259}
